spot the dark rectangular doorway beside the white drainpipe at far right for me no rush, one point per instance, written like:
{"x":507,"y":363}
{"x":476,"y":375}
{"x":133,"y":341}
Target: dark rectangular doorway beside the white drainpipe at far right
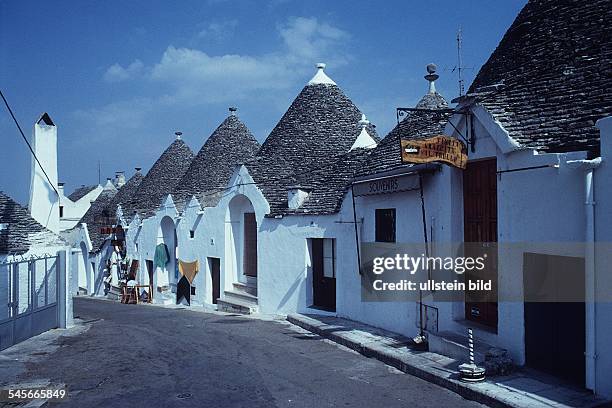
{"x":555,"y":321}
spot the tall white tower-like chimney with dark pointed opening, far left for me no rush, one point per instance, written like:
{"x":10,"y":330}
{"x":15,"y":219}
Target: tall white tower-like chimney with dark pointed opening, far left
{"x":44,"y":201}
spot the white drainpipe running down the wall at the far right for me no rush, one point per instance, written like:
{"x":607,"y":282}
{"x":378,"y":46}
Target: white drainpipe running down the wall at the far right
{"x":589,"y":260}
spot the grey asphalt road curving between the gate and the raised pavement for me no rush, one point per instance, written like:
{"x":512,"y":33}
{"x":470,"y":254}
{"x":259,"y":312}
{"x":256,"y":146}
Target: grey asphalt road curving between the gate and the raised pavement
{"x":146,"y":356}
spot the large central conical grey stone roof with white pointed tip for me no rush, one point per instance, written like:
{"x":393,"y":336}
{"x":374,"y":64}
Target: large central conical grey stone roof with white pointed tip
{"x":313,"y":137}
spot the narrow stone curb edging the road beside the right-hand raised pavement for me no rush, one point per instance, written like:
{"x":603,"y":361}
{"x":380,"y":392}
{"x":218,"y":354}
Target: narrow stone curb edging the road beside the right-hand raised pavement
{"x":429,"y":373}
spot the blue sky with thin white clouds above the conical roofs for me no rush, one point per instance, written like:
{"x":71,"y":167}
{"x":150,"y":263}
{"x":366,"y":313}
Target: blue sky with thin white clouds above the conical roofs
{"x":119,"y":77}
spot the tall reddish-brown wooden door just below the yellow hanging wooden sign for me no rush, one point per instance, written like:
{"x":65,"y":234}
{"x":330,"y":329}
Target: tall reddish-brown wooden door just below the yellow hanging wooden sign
{"x":480,"y":236}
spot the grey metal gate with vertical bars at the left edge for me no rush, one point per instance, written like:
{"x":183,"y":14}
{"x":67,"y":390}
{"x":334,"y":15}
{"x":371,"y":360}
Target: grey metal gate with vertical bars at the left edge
{"x":29,"y":291}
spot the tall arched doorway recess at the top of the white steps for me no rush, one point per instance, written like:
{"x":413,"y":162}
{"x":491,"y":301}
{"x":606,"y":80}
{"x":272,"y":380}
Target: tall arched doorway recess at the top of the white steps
{"x":241,"y":243}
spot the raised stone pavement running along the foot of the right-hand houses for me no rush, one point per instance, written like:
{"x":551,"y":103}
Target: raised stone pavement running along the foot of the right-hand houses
{"x":521,"y":389}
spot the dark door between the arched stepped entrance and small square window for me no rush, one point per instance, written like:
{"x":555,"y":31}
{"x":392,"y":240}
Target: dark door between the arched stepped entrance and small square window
{"x":324,"y":284}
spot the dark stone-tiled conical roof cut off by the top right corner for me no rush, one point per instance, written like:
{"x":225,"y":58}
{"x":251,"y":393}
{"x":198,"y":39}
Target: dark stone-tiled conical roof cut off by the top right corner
{"x":549,"y":79}
